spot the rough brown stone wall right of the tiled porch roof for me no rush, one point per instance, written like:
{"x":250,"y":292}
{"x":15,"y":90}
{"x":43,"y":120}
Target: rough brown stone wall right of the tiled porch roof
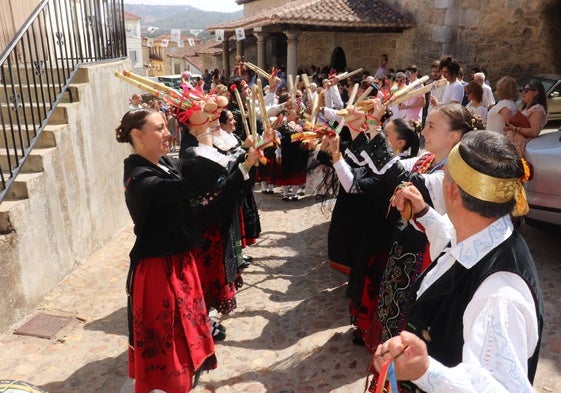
{"x":506,"y":37}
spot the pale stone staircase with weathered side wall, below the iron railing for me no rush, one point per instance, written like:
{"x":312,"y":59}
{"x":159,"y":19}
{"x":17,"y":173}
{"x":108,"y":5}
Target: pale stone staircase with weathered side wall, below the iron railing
{"x":67,"y":199}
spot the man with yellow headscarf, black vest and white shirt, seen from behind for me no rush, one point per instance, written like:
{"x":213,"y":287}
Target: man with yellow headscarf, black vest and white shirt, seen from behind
{"x":476,"y":320}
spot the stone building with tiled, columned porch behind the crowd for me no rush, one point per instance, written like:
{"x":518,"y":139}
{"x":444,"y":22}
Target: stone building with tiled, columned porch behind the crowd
{"x":514,"y":37}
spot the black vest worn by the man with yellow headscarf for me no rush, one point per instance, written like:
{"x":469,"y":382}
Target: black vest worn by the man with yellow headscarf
{"x":437,"y":316}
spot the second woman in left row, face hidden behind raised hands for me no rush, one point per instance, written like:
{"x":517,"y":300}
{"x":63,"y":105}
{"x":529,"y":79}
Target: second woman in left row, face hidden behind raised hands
{"x":218,"y":254}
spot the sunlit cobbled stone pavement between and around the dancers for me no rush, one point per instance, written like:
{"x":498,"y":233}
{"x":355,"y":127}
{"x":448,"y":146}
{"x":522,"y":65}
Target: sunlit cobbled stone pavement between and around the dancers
{"x":289,"y":334}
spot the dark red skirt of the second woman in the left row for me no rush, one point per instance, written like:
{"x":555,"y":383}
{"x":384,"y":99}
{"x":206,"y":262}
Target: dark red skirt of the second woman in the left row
{"x":219,"y":292}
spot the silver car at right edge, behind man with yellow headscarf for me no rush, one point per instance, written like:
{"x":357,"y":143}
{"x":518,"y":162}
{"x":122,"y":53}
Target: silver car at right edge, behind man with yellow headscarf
{"x":544,"y":190}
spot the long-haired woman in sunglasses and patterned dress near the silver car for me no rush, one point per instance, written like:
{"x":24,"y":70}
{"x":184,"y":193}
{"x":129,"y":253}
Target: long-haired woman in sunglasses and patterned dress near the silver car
{"x":534,"y":107}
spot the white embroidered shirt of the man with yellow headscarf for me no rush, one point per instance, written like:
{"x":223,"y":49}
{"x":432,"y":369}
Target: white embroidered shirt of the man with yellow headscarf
{"x":500,"y":322}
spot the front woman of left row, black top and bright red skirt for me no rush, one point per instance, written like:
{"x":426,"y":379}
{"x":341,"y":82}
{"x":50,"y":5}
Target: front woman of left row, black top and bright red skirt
{"x":169,"y":334}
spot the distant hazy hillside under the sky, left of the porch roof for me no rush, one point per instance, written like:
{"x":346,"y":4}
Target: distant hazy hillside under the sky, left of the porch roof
{"x":186,"y":18}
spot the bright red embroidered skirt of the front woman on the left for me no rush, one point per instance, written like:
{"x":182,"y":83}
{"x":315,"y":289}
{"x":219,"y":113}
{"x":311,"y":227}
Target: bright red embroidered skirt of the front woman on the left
{"x":172,"y":338}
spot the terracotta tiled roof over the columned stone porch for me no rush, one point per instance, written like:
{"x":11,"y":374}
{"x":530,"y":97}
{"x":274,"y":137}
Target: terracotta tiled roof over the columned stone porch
{"x":325,"y":14}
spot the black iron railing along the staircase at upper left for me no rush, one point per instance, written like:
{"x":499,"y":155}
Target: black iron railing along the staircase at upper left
{"x":37,"y":65}
